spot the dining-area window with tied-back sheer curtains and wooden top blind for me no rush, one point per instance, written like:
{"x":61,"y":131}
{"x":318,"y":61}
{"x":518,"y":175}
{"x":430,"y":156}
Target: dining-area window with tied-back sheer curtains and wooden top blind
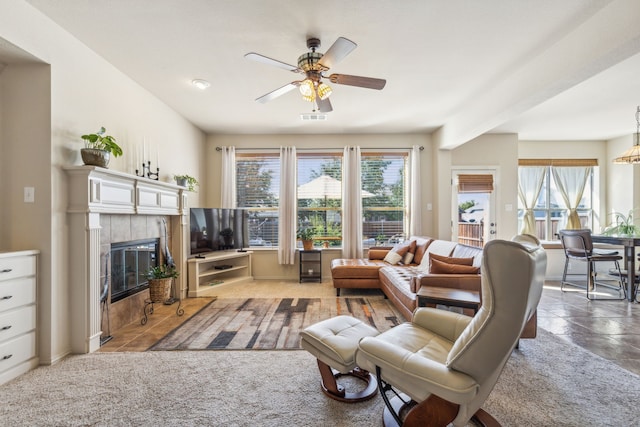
{"x":550,"y":210}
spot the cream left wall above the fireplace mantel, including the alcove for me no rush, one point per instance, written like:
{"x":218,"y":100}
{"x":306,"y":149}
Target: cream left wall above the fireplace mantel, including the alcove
{"x":85,"y":93}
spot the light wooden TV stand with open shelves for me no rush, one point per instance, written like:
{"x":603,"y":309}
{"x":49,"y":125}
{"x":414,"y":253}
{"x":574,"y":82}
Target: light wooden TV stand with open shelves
{"x":204,"y":276}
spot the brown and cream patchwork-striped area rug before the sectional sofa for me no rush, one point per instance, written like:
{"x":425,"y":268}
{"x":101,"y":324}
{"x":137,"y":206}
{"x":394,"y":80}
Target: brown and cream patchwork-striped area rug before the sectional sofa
{"x":270,"y":323}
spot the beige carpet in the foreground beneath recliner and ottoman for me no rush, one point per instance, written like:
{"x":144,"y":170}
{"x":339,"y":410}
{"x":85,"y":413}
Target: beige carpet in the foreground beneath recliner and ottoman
{"x":547,"y":382}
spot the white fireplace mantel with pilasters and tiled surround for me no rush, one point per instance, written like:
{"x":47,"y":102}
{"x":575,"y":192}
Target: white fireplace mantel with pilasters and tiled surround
{"x":107,"y":206}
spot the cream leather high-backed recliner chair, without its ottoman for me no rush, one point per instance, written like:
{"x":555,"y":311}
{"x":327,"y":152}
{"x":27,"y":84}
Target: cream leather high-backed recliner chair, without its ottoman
{"x":448,"y":363}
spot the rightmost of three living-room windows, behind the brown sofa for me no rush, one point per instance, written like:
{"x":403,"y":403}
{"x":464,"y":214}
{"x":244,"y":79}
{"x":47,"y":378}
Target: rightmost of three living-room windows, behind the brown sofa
{"x":384,"y":197}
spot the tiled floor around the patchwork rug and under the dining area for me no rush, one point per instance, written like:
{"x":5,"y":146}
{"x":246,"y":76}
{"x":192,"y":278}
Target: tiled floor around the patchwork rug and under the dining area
{"x":609,"y":329}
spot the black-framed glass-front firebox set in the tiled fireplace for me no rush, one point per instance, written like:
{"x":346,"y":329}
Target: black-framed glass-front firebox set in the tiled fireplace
{"x":129,"y":262}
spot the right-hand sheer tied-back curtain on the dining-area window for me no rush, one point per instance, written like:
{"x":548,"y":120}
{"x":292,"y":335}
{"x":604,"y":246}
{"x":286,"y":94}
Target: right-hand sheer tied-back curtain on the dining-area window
{"x":570,"y":182}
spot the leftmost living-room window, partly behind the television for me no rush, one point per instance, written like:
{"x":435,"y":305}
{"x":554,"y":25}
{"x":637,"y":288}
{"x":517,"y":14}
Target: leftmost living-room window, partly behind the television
{"x":258,"y":188}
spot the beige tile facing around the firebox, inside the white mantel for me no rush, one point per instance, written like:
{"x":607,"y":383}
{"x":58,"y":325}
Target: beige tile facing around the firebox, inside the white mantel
{"x":122,"y":228}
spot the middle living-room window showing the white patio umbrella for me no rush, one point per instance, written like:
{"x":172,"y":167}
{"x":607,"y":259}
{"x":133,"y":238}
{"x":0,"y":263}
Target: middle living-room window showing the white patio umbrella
{"x":320,"y":195}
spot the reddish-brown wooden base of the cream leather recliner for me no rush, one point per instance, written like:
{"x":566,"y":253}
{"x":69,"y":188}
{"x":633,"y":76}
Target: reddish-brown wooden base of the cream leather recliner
{"x":433,"y":412}
